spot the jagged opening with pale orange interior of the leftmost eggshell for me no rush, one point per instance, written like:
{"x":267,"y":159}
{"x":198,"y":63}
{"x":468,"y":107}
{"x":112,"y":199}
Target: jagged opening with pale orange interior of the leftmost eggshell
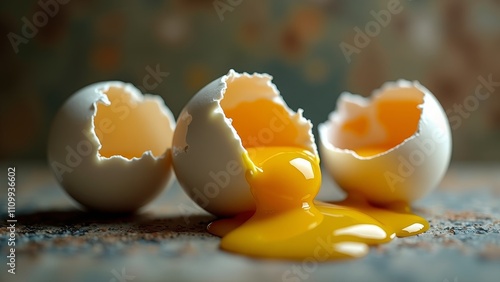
{"x":128,"y":124}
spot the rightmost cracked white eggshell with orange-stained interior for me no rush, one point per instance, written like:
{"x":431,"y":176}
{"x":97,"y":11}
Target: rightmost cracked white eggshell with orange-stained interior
{"x":408,"y":123}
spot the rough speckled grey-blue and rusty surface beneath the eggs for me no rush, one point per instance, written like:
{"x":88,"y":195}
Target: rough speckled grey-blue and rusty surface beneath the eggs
{"x":167,"y":241}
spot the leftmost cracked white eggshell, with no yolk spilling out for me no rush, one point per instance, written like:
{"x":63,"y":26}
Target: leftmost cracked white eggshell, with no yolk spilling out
{"x":109,"y":147}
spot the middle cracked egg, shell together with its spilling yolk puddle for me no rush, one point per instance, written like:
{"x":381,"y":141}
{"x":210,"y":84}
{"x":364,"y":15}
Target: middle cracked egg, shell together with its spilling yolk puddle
{"x":242,"y":154}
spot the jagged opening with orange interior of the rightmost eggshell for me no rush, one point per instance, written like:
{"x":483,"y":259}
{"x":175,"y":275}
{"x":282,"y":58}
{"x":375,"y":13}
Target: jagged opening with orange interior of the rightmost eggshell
{"x":368,"y":127}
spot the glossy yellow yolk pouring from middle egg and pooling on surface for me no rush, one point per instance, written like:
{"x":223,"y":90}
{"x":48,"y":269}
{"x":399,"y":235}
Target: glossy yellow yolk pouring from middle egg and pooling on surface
{"x":289,"y":224}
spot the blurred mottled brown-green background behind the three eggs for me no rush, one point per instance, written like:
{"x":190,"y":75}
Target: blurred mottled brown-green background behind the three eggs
{"x":313,"y":49}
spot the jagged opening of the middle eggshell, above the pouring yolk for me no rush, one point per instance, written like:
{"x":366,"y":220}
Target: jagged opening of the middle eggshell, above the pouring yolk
{"x":260,"y":117}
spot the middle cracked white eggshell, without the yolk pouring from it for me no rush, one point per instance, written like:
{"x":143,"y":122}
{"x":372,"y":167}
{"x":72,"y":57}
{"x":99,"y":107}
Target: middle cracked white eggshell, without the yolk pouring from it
{"x":208,"y":151}
